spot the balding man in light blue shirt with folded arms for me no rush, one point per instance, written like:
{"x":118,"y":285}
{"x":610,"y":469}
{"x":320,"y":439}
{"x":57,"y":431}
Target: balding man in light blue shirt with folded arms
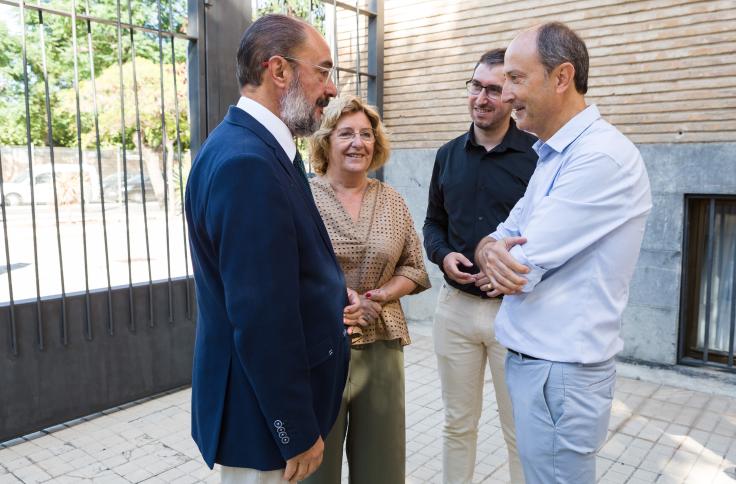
{"x":564,"y":259}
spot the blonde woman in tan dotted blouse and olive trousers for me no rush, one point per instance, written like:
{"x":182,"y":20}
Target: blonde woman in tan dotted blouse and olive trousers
{"x":378,"y":249}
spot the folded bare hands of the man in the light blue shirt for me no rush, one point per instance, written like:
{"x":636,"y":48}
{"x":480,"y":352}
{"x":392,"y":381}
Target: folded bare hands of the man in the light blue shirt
{"x":499,"y":266}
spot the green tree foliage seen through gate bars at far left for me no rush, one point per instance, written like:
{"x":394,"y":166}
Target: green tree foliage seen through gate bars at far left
{"x":50,"y":59}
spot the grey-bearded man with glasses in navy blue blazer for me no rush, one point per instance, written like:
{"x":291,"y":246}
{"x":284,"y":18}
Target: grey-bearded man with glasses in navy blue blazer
{"x":271,"y":351}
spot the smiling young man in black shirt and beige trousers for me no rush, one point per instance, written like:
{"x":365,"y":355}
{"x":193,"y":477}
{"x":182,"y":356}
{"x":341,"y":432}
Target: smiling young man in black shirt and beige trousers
{"x":477,"y":179}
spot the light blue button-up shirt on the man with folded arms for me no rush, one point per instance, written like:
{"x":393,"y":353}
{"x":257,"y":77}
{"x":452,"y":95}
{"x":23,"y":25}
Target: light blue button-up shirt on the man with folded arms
{"x":583,"y":215}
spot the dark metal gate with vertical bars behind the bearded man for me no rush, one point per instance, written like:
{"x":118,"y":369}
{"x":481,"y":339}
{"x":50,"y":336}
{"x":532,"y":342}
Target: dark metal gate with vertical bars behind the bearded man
{"x":102,"y":106}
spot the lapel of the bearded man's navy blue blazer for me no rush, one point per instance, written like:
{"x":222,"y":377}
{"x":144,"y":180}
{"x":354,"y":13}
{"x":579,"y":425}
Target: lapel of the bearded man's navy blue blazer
{"x":237,"y":116}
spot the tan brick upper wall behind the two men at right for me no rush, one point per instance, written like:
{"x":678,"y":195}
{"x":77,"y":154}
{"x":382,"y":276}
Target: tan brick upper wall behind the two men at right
{"x":663,"y":71}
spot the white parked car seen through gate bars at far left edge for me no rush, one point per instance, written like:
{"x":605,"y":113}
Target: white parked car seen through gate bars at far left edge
{"x":18,"y":190}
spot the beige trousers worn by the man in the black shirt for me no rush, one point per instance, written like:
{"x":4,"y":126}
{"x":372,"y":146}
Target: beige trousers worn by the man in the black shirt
{"x":464,"y":340}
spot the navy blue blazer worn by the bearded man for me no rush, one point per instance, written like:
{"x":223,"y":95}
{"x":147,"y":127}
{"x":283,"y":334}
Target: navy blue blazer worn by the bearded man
{"x":271,"y":353}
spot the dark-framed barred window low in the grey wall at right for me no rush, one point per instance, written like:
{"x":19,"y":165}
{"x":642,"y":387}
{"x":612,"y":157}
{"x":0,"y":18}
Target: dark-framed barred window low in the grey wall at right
{"x":708,"y":307}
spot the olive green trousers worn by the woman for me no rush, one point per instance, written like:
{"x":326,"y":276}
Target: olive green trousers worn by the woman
{"x":371,"y":423}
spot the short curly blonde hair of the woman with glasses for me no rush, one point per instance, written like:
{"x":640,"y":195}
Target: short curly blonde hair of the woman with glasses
{"x":319,"y":143}
